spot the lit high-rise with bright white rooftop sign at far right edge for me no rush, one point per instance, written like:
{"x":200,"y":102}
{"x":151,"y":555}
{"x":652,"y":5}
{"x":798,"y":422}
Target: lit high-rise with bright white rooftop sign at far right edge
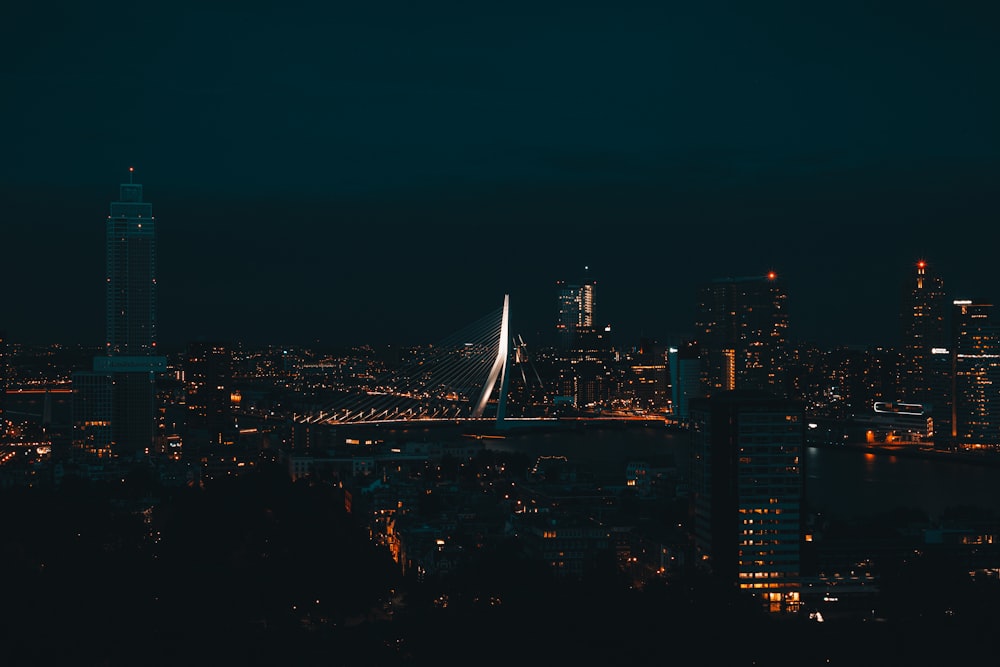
{"x":975,"y":375}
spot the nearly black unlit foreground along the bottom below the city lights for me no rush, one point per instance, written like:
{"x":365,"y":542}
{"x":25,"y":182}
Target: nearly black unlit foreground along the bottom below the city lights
{"x":260,"y":571}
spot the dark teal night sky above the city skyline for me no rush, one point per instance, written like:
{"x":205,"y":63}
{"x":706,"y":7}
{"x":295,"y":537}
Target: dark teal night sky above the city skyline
{"x":385,"y":172}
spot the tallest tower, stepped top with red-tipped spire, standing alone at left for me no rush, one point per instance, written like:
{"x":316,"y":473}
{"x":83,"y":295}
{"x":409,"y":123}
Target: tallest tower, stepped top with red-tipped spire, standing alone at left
{"x":130,"y":363}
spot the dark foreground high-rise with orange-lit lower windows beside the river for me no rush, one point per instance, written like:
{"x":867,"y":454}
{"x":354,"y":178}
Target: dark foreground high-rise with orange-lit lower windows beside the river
{"x":747,"y":490}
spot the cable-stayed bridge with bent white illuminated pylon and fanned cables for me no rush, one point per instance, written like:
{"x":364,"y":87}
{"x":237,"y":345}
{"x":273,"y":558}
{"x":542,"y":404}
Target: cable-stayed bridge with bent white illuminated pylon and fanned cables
{"x":464,"y":377}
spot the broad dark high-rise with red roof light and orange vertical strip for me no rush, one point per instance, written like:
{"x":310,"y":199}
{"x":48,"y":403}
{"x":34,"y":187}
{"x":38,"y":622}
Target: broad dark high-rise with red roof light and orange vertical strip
{"x":742,"y":332}
